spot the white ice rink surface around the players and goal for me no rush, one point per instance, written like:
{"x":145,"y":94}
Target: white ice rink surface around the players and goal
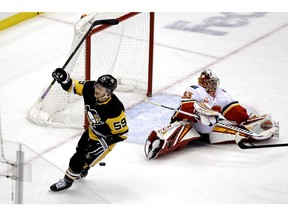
{"x":252,"y":62}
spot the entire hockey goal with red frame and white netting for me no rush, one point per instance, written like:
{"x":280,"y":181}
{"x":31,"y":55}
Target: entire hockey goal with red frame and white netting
{"x":124,"y":50}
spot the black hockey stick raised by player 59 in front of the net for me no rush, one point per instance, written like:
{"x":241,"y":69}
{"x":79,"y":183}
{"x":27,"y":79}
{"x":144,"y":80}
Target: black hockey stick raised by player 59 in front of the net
{"x":95,"y":23}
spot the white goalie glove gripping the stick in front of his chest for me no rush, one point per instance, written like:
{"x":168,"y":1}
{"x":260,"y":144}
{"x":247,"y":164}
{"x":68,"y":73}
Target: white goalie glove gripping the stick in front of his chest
{"x":207,"y":116}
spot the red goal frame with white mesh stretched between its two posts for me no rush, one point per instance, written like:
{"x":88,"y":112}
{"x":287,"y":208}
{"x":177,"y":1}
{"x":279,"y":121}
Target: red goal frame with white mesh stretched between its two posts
{"x":134,"y":33}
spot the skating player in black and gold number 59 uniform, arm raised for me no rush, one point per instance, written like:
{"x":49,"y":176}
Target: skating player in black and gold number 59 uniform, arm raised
{"x":107,"y":124}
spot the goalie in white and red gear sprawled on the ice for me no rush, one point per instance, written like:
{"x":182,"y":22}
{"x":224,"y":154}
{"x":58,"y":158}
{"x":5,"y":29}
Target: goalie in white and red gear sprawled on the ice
{"x":202,"y":107}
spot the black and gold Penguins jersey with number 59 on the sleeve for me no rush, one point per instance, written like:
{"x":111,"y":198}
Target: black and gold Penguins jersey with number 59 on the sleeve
{"x":105,"y":119}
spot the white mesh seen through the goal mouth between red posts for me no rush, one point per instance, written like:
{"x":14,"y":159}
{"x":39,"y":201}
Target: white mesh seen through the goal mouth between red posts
{"x":127,"y":53}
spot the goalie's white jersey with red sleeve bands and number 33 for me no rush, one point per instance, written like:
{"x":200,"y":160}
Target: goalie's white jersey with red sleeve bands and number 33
{"x":222,"y":102}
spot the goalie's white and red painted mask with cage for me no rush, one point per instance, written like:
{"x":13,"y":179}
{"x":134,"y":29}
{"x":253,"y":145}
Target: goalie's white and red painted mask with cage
{"x":208,"y":80}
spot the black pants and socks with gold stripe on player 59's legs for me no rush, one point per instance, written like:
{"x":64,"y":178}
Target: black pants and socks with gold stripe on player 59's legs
{"x":79,"y":161}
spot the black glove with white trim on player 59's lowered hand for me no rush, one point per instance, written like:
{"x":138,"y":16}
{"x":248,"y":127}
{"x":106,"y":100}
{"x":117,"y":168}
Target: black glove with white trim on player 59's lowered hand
{"x":96,"y":148}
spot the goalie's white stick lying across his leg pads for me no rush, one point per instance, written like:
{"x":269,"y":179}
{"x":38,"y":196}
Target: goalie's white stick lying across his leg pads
{"x":232,"y":127}
